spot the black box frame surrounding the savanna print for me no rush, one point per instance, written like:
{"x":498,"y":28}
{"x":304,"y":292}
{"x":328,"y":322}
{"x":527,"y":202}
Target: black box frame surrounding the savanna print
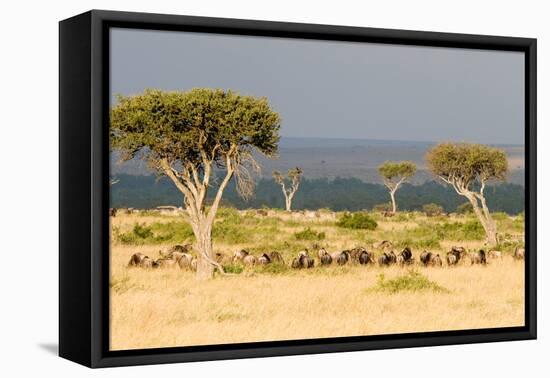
{"x":84,"y":190}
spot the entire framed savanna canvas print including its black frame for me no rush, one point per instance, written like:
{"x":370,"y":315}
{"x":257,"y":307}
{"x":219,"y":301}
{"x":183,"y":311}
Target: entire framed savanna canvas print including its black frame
{"x":234,"y":188}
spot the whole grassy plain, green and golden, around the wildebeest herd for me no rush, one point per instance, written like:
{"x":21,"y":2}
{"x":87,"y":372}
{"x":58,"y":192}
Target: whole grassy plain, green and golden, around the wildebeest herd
{"x":169,"y":307}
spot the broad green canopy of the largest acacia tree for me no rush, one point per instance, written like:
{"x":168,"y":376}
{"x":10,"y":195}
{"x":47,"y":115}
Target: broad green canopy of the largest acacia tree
{"x":183,"y":126}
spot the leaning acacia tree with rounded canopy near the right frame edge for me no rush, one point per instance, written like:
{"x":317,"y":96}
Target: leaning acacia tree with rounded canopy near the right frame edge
{"x":468,"y":168}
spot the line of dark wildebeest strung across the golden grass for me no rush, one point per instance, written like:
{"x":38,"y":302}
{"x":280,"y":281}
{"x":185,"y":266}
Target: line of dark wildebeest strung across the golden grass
{"x":180,"y":256}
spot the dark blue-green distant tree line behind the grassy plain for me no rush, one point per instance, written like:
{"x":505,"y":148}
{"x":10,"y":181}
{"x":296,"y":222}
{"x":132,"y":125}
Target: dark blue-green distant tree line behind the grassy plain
{"x":338,"y":194}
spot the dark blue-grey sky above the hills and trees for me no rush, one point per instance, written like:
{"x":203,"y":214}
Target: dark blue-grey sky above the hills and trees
{"x":338,"y":89}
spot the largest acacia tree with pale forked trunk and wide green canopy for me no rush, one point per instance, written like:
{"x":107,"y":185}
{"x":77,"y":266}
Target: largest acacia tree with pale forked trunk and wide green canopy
{"x":186,"y":136}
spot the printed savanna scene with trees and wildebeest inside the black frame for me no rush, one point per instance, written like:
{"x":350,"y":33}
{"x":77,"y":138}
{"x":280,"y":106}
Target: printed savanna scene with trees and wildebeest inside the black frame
{"x":267,"y":189}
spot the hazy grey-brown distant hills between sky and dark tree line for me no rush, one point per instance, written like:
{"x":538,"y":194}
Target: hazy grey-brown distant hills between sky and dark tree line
{"x":343,"y":158}
